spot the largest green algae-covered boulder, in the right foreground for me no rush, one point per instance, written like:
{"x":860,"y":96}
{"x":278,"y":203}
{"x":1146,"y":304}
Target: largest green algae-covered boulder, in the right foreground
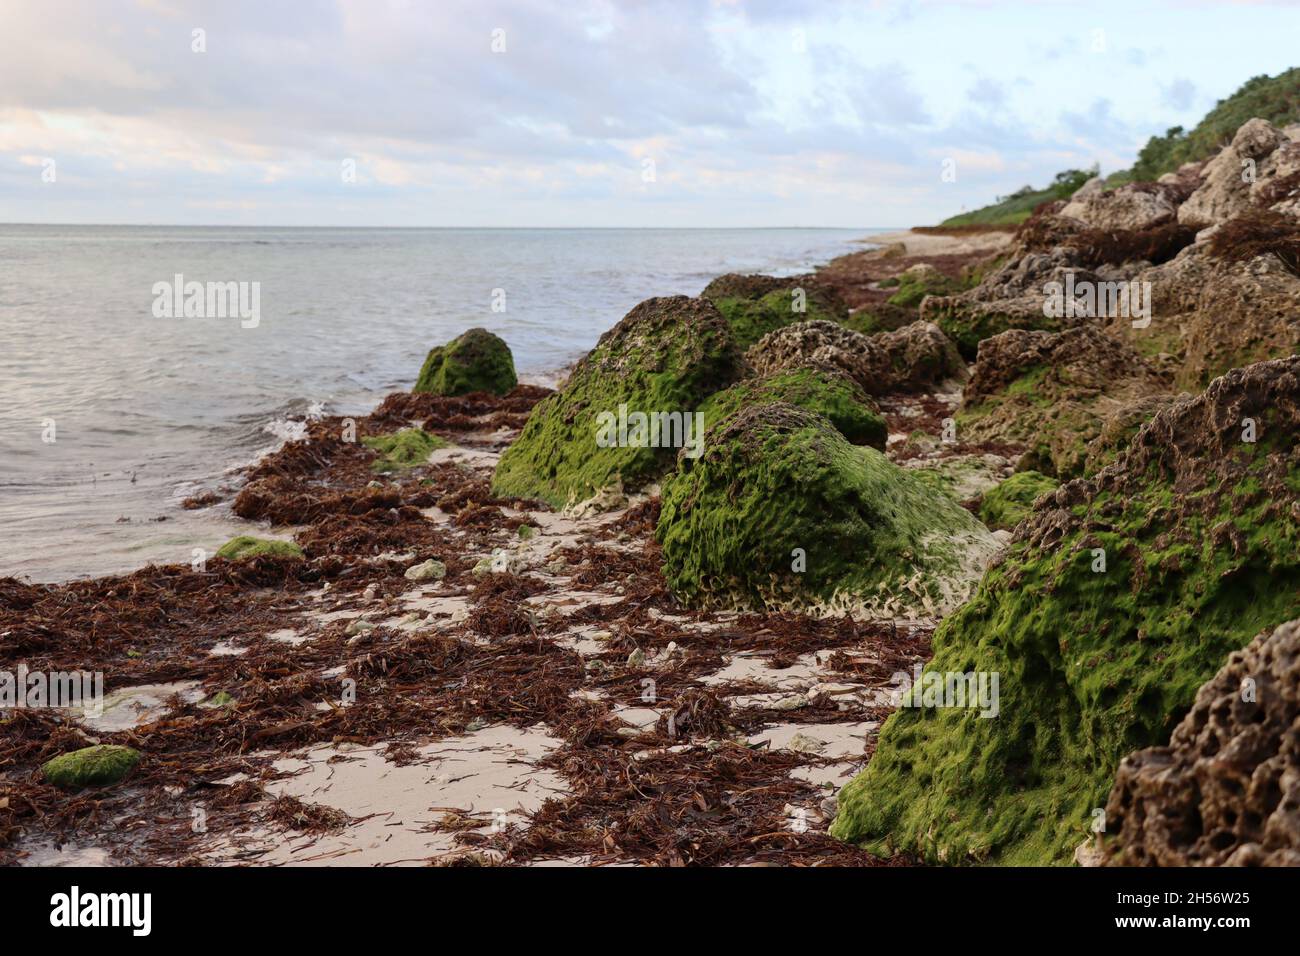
{"x":1112,"y":605}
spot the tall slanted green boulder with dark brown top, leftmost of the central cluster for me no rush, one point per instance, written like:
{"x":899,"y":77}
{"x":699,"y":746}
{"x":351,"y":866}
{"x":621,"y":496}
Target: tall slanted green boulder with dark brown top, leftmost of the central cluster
{"x":627,"y":409}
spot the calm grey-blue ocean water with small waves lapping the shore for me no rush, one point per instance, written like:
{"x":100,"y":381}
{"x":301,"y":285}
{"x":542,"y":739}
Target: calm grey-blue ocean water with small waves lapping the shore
{"x":111,"y":416}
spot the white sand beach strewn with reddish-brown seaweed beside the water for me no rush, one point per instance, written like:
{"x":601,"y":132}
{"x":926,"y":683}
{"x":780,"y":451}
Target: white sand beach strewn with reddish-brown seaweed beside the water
{"x":582,"y":599}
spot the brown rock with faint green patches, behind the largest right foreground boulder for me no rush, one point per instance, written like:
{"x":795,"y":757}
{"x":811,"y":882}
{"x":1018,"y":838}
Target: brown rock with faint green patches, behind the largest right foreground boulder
{"x":1051,"y":392}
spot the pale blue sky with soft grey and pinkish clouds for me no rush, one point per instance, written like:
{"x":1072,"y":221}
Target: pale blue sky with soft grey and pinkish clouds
{"x":593,"y":113}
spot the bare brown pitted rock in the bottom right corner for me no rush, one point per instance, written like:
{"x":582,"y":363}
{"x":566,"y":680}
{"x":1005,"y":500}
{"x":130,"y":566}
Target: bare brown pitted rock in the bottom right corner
{"x":1227,"y":789}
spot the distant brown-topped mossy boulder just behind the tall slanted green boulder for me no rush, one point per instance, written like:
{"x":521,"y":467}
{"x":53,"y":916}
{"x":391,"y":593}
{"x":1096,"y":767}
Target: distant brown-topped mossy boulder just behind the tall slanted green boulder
{"x":757,"y":305}
